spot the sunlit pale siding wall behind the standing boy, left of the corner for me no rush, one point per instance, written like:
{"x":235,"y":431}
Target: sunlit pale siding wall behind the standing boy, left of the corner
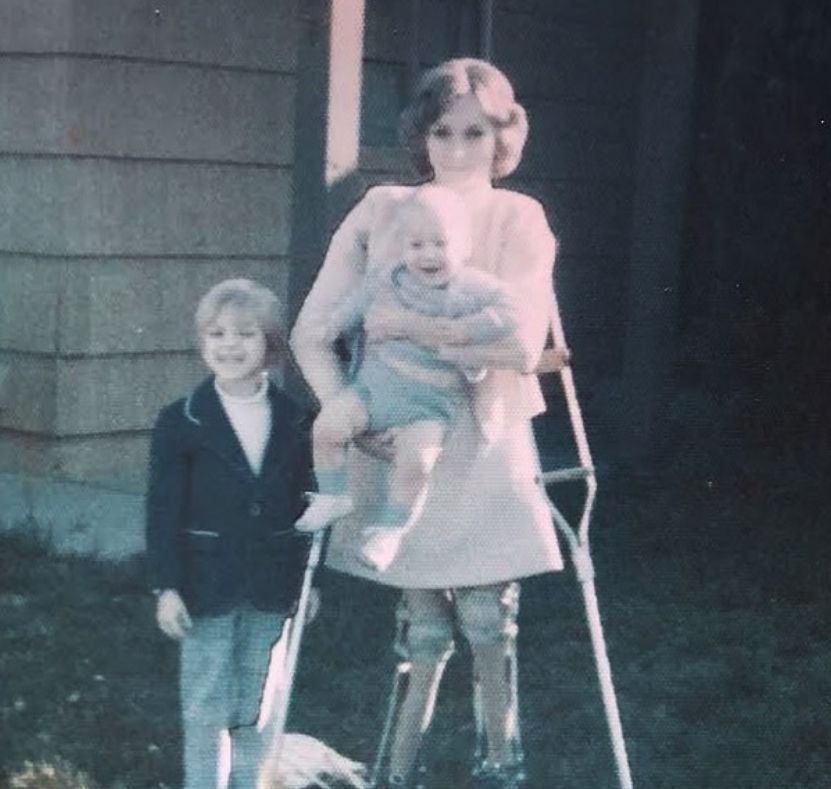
{"x":145,"y":152}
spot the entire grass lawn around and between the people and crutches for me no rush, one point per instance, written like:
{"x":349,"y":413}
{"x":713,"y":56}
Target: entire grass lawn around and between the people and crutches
{"x":715,"y":609}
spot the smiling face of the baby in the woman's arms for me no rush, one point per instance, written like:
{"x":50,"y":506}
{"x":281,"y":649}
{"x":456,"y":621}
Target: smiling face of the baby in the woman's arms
{"x":432,"y":252}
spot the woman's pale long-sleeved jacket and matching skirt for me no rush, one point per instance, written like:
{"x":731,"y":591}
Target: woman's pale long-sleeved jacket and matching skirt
{"x":485,"y":519}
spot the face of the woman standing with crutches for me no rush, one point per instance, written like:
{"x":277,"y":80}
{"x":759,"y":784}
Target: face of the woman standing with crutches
{"x":461,"y":143}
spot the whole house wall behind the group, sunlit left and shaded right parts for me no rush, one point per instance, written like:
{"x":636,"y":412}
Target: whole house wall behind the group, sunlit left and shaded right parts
{"x":147,"y":149}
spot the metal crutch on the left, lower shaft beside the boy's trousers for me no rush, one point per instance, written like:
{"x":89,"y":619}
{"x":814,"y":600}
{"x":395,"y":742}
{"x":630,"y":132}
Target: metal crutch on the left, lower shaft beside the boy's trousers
{"x":281,"y":698}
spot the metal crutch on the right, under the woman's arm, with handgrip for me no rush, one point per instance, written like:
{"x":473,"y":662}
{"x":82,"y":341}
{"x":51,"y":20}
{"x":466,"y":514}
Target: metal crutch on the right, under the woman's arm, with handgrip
{"x":578,"y":542}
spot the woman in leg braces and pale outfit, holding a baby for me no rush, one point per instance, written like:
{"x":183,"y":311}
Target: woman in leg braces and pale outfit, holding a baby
{"x":485,"y":522}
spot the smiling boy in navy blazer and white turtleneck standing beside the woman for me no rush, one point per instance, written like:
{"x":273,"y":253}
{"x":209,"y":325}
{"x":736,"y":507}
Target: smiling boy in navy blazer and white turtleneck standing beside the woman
{"x":229,"y":467}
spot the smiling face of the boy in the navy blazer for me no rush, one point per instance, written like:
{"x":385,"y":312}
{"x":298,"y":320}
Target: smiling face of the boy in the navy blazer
{"x":234,"y":348}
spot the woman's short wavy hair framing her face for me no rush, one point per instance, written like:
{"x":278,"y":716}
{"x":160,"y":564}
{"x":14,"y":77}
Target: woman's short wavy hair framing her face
{"x":439,"y":87}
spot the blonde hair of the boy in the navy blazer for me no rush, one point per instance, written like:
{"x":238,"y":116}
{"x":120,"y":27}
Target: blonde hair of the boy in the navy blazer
{"x":249,"y":296}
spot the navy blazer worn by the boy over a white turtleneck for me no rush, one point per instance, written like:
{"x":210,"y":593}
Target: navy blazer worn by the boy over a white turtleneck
{"x":216,"y":531}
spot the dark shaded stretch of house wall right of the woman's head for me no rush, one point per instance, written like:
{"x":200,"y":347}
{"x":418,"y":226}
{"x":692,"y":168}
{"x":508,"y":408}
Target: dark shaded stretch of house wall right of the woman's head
{"x":576,"y":69}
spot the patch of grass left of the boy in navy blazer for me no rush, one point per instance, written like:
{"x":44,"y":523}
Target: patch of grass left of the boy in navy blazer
{"x":86,"y":680}
